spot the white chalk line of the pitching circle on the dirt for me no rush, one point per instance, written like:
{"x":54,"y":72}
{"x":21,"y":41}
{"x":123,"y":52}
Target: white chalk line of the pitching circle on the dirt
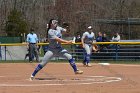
{"x":87,"y":81}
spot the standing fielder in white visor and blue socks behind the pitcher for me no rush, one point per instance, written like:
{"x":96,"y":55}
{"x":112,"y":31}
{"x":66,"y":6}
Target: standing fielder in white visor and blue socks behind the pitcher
{"x":87,"y":41}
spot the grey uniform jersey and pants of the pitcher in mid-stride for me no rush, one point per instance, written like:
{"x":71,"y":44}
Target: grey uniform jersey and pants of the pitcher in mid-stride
{"x":54,"y":47}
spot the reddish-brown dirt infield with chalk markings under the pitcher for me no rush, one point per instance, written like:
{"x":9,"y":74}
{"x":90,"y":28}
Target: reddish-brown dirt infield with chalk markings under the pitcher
{"x":59,"y":78}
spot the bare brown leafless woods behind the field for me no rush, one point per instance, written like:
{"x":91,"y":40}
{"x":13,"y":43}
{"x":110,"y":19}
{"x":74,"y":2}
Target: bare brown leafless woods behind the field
{"x":78,"y":13}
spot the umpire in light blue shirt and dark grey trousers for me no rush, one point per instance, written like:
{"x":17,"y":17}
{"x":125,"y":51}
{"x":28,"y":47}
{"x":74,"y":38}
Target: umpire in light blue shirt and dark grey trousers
{"x":32,"y":40}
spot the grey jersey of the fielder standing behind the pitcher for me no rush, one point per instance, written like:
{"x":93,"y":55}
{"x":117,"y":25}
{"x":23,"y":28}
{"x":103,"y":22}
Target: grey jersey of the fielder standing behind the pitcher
{"x":88,"y":37}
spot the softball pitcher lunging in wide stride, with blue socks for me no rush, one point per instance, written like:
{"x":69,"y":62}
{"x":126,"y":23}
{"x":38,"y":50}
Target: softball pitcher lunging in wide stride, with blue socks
{"x":55,"y":48}
